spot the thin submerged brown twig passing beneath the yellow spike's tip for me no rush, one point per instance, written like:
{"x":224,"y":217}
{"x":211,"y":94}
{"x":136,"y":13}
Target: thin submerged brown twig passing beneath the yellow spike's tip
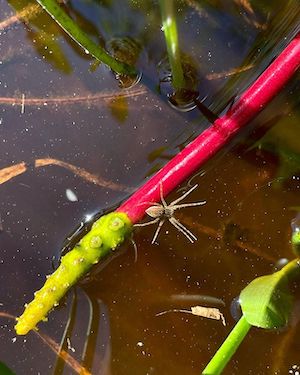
{"x":69,"y":360}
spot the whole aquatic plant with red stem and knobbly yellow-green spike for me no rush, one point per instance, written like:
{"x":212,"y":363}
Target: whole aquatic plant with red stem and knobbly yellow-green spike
{"x":110,"y":230}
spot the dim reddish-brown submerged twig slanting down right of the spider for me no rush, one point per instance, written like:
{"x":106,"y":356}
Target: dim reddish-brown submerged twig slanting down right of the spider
{"x":219,"y":235}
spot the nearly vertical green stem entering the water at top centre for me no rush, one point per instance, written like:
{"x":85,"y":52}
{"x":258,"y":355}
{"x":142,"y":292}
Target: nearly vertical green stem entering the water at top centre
{"x":170,"y":30}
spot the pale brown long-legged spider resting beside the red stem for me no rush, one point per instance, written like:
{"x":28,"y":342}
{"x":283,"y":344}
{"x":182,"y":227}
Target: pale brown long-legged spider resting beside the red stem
{"x":163,"y":212}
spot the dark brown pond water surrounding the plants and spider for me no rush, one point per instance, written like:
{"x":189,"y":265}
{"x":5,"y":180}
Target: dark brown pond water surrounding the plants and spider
{"x":72,"y":143}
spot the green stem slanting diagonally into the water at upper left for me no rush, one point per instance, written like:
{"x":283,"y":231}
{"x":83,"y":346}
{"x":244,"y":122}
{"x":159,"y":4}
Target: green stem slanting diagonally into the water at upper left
{"x":75,"y":32}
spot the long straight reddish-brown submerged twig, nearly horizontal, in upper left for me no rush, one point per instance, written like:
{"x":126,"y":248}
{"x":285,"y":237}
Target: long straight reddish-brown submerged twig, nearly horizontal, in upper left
{"x":89,"y":99}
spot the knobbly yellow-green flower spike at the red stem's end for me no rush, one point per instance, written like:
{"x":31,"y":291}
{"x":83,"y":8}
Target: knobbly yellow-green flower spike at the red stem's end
{"x":106,"y":234}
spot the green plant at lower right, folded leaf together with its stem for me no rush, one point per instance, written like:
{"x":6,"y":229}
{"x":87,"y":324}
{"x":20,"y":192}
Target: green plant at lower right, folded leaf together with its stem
{"x":266,"y":303}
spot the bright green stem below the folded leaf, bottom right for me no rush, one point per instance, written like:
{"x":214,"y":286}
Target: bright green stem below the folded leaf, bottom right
{"x":228,"y":348}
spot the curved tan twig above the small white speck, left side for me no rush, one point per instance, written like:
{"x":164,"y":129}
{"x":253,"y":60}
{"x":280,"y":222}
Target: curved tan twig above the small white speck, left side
{"x":8,"y":173}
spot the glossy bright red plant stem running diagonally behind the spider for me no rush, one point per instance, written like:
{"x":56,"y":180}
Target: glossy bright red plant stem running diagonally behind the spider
{"x":210,"y":141}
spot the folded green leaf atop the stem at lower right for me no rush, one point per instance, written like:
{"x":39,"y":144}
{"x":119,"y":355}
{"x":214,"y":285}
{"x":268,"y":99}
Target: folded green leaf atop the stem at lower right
{"x":267,"y":301}
